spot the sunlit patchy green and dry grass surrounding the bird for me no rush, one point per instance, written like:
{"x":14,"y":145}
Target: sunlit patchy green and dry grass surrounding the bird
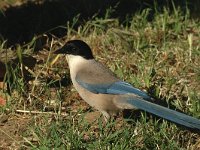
{"x":160,"y":56}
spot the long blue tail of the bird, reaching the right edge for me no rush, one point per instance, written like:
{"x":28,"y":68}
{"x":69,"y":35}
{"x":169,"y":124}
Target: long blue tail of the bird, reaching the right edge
{"x":163,"y":112}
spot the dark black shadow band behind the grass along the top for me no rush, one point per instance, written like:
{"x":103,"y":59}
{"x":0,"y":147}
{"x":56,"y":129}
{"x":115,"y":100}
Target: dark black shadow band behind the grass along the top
{"x":19,"y":24}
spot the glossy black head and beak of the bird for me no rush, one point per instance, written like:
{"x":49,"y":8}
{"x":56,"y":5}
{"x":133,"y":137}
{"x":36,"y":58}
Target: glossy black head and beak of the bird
{"x":76,"y":47}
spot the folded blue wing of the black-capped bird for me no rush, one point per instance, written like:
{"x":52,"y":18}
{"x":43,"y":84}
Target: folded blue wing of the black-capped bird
{"x":119,"y":87}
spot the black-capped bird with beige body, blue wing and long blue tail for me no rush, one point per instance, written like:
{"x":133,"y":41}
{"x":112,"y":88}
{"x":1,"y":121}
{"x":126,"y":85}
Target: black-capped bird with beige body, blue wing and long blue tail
{"x":103,"y":90}
